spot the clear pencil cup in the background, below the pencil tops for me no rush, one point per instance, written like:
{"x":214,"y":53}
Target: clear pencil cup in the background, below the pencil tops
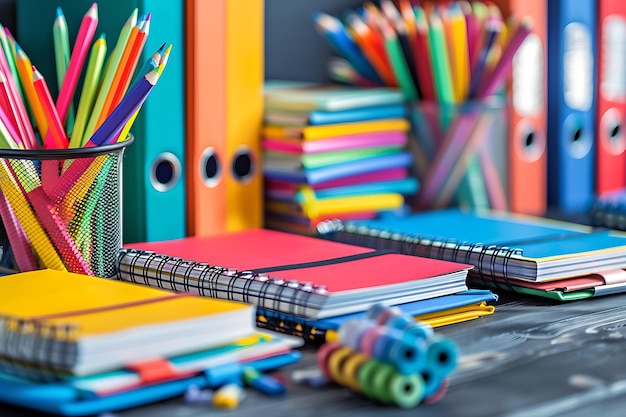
{"x":461,"y":154}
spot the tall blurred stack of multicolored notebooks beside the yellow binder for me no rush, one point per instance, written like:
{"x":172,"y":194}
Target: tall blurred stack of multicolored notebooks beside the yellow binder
{"x":333,"y":151}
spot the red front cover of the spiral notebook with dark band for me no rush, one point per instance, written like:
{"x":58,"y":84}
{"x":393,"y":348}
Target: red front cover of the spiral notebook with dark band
{"x":272,"y":252}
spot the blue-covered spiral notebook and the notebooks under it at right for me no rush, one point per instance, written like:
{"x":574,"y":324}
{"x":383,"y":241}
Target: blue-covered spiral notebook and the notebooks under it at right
{"x":509,"y":252}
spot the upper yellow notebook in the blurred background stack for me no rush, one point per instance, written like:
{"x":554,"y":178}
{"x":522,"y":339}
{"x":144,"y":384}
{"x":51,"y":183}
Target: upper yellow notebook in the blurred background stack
{"x":333,"y":130}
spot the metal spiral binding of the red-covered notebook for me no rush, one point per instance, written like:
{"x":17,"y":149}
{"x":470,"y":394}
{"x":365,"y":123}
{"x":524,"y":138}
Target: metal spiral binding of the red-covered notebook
{"x":149,"y":268}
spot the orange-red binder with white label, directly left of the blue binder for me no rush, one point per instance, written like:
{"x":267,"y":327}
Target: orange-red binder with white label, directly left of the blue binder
{"x":527,"y":114}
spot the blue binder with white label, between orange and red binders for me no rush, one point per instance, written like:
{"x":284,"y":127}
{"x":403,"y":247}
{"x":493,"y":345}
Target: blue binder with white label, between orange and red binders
{"x":571,"y":103}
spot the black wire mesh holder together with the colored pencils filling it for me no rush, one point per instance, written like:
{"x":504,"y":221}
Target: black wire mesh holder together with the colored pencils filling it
{"x":59,"y":211}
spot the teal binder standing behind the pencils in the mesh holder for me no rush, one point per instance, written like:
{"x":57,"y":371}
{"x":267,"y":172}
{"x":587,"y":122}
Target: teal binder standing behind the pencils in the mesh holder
{"x":153,"y":166}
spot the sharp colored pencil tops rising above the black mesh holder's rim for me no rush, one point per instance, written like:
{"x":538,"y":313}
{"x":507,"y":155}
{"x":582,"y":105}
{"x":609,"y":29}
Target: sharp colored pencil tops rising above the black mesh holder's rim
{"x":109,"y":98}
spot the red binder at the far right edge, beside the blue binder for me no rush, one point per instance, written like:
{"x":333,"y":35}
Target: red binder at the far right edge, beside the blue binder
{"x":611,"y":103}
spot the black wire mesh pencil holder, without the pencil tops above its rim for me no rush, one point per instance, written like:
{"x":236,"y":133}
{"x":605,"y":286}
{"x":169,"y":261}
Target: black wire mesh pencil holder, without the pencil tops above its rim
{"x":61,"y":208}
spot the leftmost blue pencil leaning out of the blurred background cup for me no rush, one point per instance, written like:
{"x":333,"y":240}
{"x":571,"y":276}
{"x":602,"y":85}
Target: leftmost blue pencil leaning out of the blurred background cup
{"x":335,"y":33}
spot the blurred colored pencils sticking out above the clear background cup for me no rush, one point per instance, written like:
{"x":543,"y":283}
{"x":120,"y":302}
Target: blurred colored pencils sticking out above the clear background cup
{"x":448,"y":52}
